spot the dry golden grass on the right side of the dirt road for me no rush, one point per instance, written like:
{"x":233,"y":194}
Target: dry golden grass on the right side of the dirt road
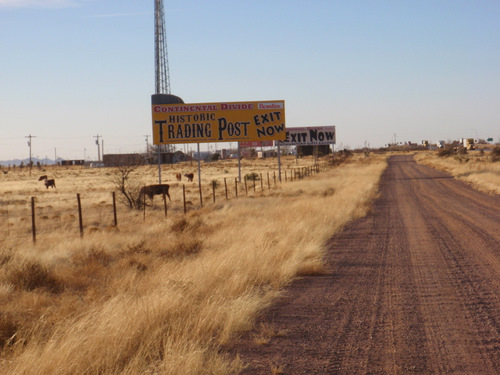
{"x":475,"y":168}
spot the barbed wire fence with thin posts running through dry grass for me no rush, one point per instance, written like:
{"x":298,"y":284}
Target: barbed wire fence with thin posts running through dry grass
{"x":36,"y":216}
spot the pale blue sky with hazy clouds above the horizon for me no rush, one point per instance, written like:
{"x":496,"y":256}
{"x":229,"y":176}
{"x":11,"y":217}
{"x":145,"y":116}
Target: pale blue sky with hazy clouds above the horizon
{"x":72,"y":69}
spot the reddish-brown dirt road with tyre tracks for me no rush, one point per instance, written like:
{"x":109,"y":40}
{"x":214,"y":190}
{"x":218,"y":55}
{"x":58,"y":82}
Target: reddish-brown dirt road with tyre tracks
{"x":412,"y":288}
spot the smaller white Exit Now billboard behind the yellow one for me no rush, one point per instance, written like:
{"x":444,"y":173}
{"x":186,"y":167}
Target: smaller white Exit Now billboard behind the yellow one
{"x":310,"y":136}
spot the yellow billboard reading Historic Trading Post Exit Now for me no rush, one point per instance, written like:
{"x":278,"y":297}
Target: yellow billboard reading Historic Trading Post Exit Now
{"x":218,"y":122}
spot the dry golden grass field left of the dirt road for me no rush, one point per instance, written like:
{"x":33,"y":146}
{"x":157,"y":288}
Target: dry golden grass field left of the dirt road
{"x":164,"y":295}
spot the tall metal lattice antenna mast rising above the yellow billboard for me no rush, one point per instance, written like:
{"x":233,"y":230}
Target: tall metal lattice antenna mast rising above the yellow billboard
{"x":162,"y":74}
